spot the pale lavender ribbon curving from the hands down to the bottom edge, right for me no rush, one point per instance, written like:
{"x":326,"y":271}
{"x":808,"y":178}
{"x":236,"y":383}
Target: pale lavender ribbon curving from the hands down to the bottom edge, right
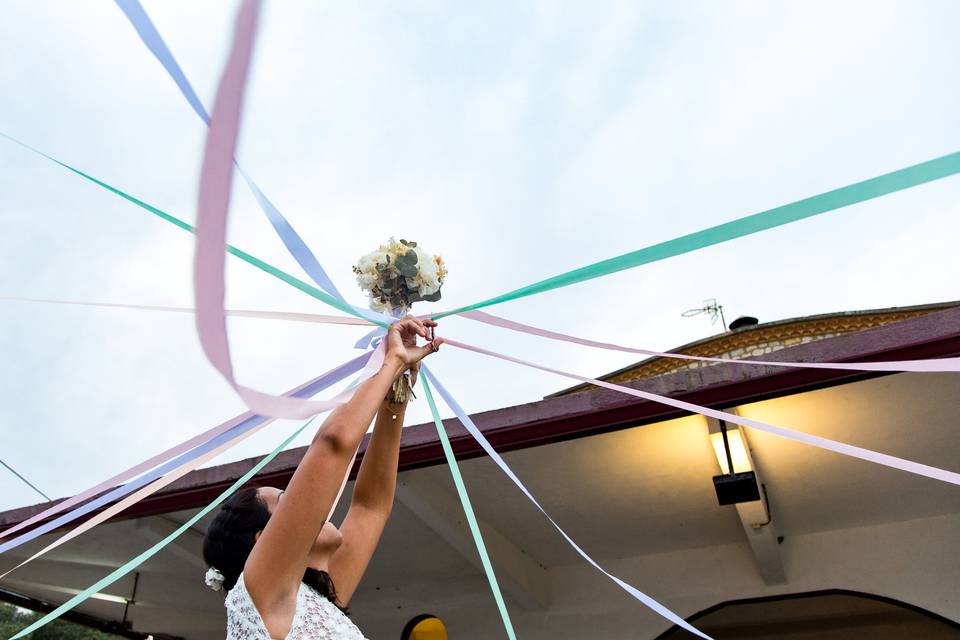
{"x":485,"y":444}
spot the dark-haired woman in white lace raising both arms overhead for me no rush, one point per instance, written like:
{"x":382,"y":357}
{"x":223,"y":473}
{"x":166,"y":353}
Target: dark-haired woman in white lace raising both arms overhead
{"x":289,"y":572}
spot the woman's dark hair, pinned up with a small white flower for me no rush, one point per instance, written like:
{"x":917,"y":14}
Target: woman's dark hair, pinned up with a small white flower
{"x":232,"y":534}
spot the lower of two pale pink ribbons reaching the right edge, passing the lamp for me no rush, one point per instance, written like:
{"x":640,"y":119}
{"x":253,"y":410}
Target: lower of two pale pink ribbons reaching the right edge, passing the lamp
{"x":797,"y":436}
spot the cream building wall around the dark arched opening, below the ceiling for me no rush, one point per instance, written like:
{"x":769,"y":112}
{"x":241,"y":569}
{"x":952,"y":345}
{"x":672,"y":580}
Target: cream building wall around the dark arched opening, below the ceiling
{"x":913,"y":562}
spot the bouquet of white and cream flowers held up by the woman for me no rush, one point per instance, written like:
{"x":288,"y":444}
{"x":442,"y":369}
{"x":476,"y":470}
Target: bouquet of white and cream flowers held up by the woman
{"x":395,"y":276}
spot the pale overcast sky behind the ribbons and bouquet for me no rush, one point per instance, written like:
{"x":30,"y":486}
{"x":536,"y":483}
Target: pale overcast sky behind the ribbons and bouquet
{"x":518,"y":140}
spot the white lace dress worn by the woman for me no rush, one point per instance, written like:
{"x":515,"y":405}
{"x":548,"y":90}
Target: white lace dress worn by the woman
{"x":315,"y":618}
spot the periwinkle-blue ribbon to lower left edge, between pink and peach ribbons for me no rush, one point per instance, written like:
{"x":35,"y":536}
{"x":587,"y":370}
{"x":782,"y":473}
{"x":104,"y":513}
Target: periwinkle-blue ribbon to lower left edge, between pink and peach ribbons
{"x":225,"y":433}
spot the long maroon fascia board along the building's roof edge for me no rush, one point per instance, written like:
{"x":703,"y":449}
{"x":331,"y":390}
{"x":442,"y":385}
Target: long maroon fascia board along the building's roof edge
{"x":936,"y":335}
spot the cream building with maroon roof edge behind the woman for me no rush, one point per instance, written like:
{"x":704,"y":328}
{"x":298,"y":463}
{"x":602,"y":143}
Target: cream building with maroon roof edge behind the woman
{"x":630,"y":481}
